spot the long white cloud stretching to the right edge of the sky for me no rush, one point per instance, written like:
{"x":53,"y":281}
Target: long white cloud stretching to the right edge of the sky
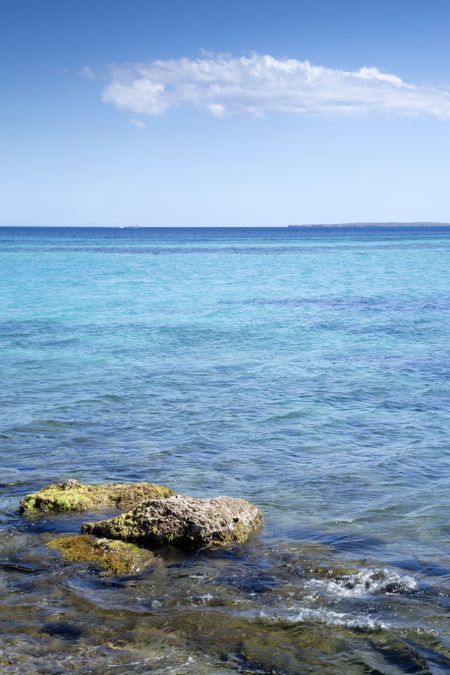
{"x":261,"y":84}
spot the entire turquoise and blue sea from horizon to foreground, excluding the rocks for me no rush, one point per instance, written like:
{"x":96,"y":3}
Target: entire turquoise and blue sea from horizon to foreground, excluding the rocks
{"x":307,"y":370}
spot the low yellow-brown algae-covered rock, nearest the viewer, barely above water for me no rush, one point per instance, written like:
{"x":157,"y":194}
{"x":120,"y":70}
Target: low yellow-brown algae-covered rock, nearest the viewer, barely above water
{"x":114,"y":557}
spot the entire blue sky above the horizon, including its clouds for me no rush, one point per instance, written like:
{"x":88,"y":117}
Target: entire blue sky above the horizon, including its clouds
{"x":224,"y":113}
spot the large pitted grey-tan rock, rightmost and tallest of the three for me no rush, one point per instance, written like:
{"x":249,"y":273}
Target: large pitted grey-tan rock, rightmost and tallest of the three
{"x":182,"y":521}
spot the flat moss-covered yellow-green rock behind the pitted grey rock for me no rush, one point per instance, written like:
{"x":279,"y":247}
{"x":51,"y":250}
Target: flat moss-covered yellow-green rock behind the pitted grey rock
{"x":74,"y":496}
